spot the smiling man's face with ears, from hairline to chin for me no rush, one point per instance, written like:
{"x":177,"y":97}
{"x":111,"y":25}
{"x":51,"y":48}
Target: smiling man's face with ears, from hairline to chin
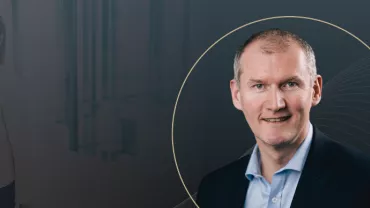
{"x":272,"y":86}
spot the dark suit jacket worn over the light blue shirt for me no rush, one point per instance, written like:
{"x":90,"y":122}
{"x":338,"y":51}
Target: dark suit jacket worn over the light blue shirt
{"x":333,"y":176}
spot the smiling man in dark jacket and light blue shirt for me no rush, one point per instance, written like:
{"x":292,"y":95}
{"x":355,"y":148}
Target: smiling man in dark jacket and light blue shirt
{"x":293,"y":164}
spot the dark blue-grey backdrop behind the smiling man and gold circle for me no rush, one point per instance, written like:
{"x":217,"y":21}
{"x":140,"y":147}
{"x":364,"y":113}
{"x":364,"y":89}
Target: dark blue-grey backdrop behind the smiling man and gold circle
{"x":88,"y":88}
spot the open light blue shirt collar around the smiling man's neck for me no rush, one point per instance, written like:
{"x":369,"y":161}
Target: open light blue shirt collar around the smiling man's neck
{"x":296,"y":163}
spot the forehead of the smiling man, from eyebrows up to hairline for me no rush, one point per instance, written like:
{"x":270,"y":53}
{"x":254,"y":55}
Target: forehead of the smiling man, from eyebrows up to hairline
{"x":276,"y":63}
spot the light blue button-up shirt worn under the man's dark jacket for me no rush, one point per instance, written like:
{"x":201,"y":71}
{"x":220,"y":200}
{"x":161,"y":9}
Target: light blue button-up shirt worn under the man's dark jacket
{"x":278,"y":194}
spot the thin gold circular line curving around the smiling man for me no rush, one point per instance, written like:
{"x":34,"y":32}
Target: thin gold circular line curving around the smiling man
{"x":245,"y":25}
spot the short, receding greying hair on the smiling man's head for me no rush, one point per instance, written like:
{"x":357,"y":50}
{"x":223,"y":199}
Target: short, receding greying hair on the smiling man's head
{"x":277,"y":41}
